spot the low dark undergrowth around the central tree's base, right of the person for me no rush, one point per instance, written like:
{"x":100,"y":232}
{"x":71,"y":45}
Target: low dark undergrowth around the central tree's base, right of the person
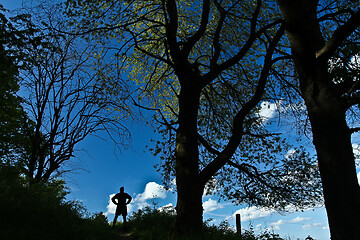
{"x":154,"y":224}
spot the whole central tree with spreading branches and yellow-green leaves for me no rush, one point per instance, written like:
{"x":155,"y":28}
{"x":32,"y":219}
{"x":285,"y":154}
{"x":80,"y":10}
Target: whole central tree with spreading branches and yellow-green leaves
{"x":204,"y":67}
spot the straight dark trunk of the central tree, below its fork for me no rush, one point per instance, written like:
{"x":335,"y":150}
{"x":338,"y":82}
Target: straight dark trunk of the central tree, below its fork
{"x":189,"y":189}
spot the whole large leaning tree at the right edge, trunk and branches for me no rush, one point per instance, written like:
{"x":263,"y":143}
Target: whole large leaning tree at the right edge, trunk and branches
{"x":324,"y":40}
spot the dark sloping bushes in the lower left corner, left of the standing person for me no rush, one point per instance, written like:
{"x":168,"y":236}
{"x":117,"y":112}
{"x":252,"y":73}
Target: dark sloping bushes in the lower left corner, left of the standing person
{"x":40,"y":211}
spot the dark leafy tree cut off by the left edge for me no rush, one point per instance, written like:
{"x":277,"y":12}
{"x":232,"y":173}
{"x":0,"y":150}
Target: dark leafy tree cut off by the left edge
{"x":14,"y":38}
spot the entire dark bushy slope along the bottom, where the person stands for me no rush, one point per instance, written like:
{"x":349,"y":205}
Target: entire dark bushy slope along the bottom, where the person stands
{"x":41,"y":212}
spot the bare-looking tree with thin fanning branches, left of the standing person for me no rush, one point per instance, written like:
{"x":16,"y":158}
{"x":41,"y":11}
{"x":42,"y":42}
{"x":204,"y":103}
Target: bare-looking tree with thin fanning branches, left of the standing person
{"x":65,"y":98}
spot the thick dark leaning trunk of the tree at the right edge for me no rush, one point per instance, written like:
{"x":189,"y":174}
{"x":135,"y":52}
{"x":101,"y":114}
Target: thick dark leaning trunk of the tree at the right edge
{"x":327,"y":114}
